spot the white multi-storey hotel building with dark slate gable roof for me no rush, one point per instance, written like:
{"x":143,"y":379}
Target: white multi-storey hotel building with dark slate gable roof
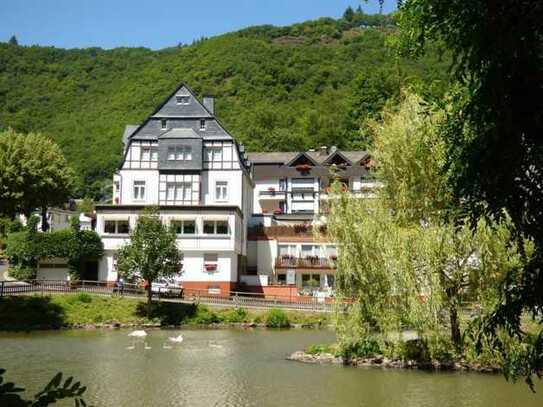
{"x":242,"y":219}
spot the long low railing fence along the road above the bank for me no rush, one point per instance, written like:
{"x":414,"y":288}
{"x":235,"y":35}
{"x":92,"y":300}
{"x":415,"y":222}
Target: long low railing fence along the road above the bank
{"x":229,"y":298}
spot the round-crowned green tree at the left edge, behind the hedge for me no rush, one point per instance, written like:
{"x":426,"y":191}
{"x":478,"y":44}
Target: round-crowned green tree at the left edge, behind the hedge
{"x":33,"y":174}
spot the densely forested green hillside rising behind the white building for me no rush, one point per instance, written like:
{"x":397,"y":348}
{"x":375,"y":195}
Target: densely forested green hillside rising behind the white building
{"x":277,"y":88}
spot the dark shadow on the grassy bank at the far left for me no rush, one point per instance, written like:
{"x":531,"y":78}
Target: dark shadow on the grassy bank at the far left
{"x":24,"y":313}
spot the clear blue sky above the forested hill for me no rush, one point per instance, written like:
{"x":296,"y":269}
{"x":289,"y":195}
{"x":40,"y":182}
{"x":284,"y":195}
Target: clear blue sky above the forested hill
{"x":114,"y":23}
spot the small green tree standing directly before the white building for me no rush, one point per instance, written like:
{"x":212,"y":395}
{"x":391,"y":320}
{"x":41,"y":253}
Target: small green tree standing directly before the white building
{"x":151,"y":253}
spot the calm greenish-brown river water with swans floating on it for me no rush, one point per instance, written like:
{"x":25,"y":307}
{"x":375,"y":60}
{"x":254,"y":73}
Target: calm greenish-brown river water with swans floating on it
{"x":234,"y":368}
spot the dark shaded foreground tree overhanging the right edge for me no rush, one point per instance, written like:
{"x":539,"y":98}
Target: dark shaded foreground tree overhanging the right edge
{"x":495,"y":149}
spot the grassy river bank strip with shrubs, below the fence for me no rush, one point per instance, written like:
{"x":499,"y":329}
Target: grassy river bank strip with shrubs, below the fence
{"x":45,"y":312}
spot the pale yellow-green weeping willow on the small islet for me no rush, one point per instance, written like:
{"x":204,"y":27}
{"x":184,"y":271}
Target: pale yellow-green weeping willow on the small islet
{"x":405,"y":256}
